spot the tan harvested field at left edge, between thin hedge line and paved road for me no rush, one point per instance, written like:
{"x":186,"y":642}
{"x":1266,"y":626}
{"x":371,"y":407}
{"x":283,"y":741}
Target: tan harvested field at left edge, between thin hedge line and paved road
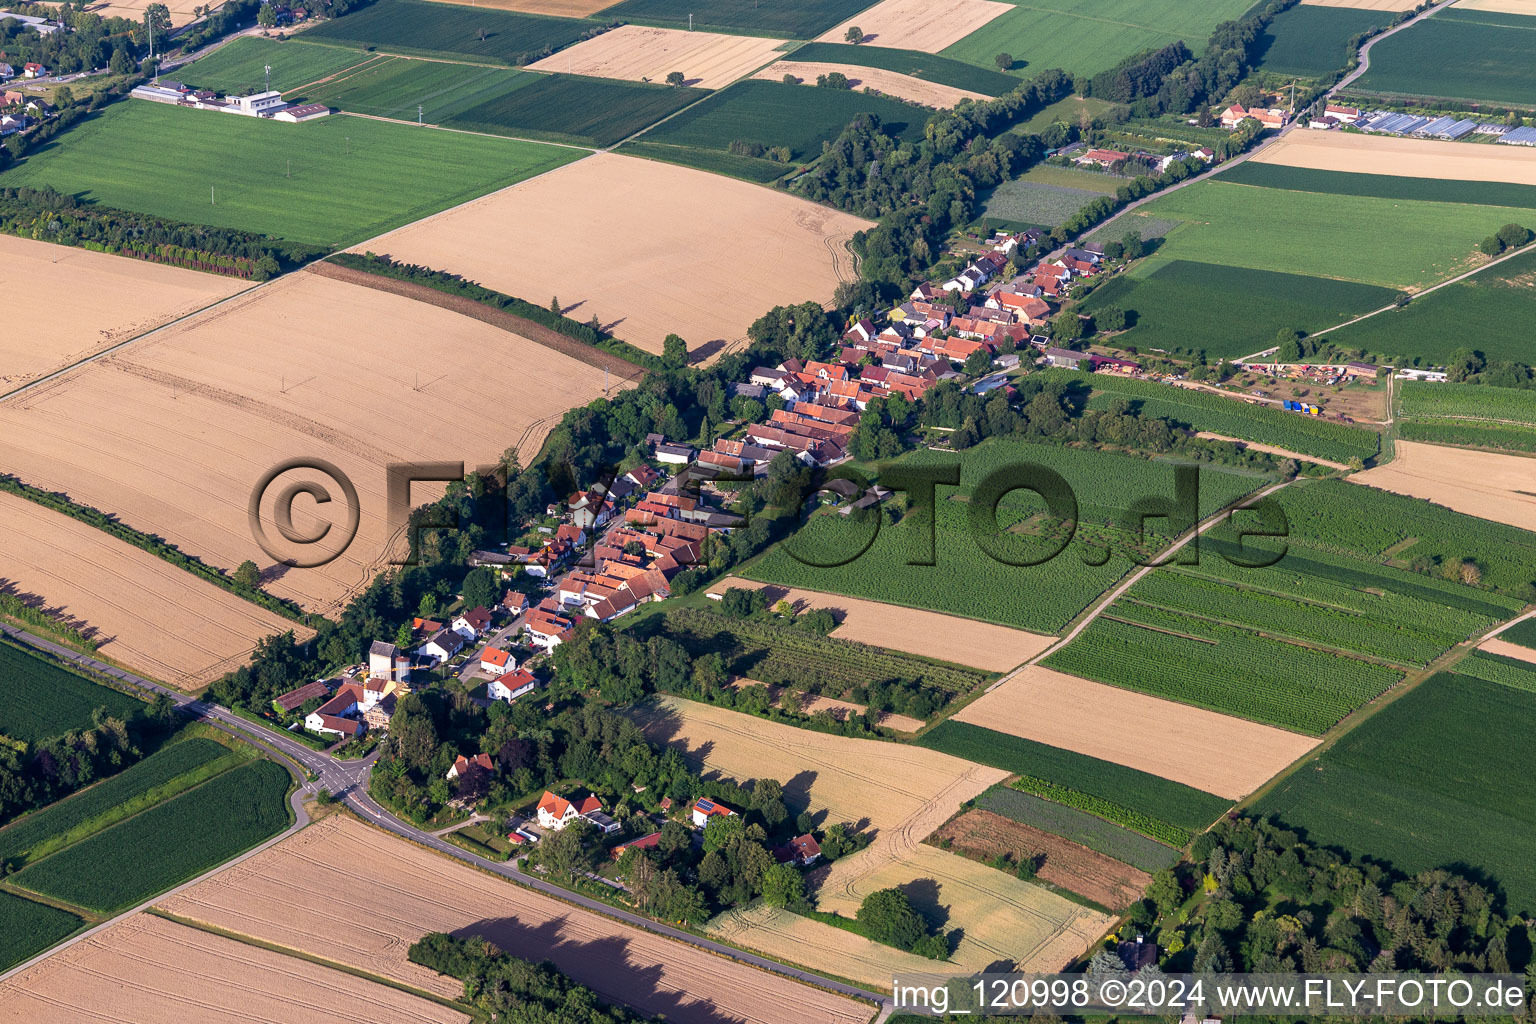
{"x":142,"y":612}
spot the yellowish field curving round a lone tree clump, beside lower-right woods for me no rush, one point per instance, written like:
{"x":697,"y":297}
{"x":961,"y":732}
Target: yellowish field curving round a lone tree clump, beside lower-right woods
{"x":1004,"y":920}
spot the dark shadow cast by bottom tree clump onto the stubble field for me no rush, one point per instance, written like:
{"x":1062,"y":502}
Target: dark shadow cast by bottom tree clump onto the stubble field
{"x":609,"y":966}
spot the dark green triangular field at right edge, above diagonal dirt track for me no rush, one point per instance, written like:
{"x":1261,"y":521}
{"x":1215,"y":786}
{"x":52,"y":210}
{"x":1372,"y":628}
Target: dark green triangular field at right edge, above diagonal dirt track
{"x":1489,"y":312}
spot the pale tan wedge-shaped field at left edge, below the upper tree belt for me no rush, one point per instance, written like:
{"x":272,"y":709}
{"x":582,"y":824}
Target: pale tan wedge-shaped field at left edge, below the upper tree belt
{"x":110,"y":300}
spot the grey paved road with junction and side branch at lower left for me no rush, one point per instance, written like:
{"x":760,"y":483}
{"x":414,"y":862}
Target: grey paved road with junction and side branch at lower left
{"x":348,"y":781}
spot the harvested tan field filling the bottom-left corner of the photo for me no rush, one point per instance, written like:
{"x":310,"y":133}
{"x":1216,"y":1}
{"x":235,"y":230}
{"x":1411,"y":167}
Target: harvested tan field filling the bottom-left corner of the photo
{"x":151,"y":971}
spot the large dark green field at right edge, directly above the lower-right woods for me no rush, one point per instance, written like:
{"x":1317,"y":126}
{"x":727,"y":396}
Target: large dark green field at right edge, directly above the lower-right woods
{"x":1403,"y":788}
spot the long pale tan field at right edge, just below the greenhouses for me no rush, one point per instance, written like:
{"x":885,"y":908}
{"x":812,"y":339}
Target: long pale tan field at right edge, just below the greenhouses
{"x":1402,"y":157}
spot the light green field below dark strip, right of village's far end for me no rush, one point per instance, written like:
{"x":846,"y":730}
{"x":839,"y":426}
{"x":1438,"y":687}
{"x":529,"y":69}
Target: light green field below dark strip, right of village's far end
{"x":1348,"y":237}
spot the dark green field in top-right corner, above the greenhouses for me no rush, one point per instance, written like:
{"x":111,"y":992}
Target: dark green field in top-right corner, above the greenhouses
{"x":1458,"y":55}
